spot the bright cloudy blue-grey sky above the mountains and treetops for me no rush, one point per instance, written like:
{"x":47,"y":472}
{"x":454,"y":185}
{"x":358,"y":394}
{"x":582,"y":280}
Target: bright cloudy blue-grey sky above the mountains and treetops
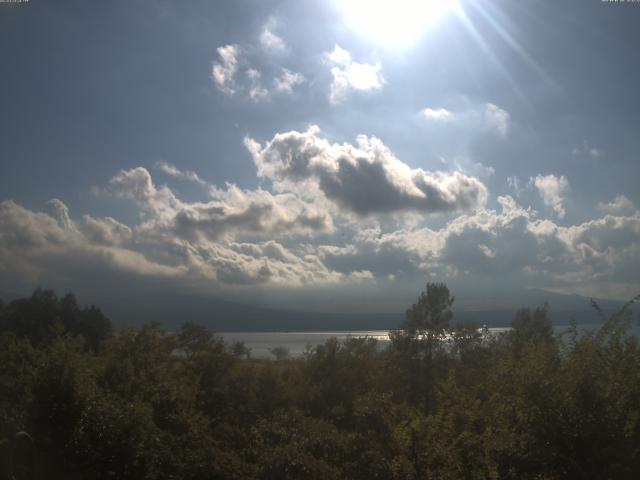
{"x":332,"y":155}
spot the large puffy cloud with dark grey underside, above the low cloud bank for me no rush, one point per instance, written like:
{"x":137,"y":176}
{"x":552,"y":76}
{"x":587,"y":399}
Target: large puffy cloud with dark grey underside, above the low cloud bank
{"x":347,"y":175}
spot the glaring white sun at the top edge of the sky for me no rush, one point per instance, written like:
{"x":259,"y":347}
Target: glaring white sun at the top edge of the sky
{"x":394,"y":22}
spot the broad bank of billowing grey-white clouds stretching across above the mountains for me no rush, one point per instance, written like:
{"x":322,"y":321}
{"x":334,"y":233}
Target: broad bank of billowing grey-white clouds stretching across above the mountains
{"x":328,"y":214}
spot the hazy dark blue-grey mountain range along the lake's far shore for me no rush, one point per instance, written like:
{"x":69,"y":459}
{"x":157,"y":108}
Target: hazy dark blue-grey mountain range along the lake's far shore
{"x":225,"y":316}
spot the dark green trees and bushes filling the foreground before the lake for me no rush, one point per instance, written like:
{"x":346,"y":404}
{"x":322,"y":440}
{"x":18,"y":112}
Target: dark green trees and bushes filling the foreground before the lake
{"x":438,"y":403}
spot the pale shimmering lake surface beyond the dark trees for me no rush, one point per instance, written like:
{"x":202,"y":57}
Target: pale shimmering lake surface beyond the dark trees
{"x":261,"y":343}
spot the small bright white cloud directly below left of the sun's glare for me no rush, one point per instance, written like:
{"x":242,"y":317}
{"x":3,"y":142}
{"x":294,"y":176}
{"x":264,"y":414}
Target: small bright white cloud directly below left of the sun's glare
{"x":349,"y":75}
